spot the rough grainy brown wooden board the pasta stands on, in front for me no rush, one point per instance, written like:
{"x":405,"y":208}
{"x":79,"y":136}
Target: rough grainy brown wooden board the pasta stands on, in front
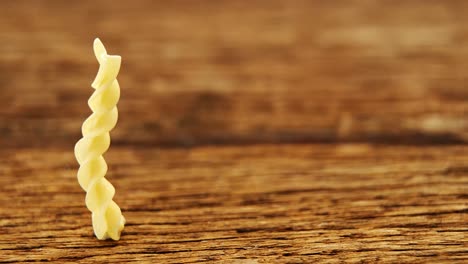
{"x":264,"y":203}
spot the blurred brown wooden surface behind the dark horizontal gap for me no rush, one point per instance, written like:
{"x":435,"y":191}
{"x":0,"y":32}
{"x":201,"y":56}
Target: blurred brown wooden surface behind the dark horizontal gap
{"x":238,"y":72}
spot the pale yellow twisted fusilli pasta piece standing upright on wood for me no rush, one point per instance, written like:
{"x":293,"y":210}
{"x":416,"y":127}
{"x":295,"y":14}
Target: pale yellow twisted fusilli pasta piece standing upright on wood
{"x":108,"y":221}
